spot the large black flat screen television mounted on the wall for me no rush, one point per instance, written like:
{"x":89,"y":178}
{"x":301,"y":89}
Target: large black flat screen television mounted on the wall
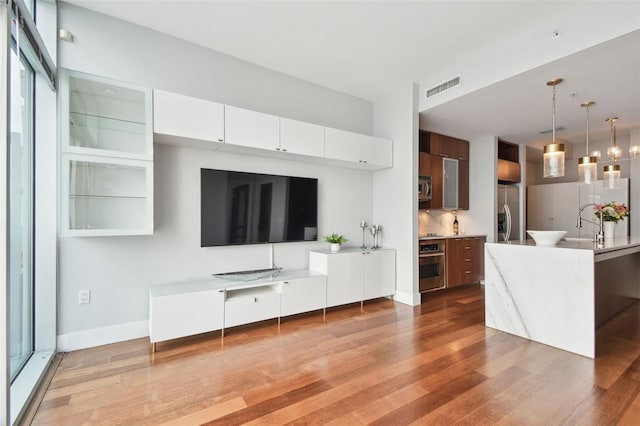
{"x":252,"y":208}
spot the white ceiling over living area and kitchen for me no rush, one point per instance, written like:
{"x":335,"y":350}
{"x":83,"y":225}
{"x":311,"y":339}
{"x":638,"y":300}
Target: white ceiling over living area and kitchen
{"x":366,"y":48}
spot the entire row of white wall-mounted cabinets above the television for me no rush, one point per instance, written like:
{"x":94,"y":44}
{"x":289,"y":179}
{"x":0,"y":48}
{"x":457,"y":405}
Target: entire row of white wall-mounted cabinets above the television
{"x":179,"y":118}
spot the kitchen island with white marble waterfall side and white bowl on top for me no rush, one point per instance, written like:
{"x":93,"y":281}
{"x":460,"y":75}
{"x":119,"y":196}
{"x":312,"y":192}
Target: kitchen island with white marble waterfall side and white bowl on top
{"x":559,"y":295}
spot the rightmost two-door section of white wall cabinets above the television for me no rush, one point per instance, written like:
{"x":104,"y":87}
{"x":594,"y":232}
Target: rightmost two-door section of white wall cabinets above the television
{"x":372,"y":153}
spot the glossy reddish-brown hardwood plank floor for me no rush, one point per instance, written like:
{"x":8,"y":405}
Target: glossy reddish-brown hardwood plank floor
{"x":389,"y":365}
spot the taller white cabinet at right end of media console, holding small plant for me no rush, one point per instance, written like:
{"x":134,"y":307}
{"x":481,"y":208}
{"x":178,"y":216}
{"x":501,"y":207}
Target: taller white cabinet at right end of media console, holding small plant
{"x":355,"y":275}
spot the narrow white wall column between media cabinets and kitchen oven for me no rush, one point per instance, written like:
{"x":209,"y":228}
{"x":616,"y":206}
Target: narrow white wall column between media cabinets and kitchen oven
{"x":395,"y":200}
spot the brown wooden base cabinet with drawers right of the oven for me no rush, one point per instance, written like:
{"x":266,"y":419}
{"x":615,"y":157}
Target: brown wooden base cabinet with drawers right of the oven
{"x":464,"y":261}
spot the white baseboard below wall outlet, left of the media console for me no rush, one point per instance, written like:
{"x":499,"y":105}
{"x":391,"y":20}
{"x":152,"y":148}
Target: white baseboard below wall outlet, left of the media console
{"x":102,"y":336}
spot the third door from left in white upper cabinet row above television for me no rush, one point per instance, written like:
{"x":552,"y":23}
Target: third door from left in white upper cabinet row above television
{"x":298,"y":137}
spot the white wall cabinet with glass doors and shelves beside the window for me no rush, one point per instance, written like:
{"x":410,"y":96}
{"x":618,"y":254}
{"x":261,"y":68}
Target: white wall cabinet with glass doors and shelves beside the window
{"x":106,"y":183}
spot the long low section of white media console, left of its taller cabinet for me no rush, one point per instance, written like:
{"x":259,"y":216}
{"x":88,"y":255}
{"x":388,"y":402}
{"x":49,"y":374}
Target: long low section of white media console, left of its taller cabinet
{"x":184,"y":309}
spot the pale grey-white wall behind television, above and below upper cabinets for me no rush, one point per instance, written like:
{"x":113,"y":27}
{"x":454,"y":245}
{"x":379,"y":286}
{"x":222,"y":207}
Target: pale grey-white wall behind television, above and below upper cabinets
{"x":119,"y":270}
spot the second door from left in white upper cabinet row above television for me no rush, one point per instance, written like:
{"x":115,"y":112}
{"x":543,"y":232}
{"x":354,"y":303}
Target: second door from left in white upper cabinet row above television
{"x":251,"y":129}
